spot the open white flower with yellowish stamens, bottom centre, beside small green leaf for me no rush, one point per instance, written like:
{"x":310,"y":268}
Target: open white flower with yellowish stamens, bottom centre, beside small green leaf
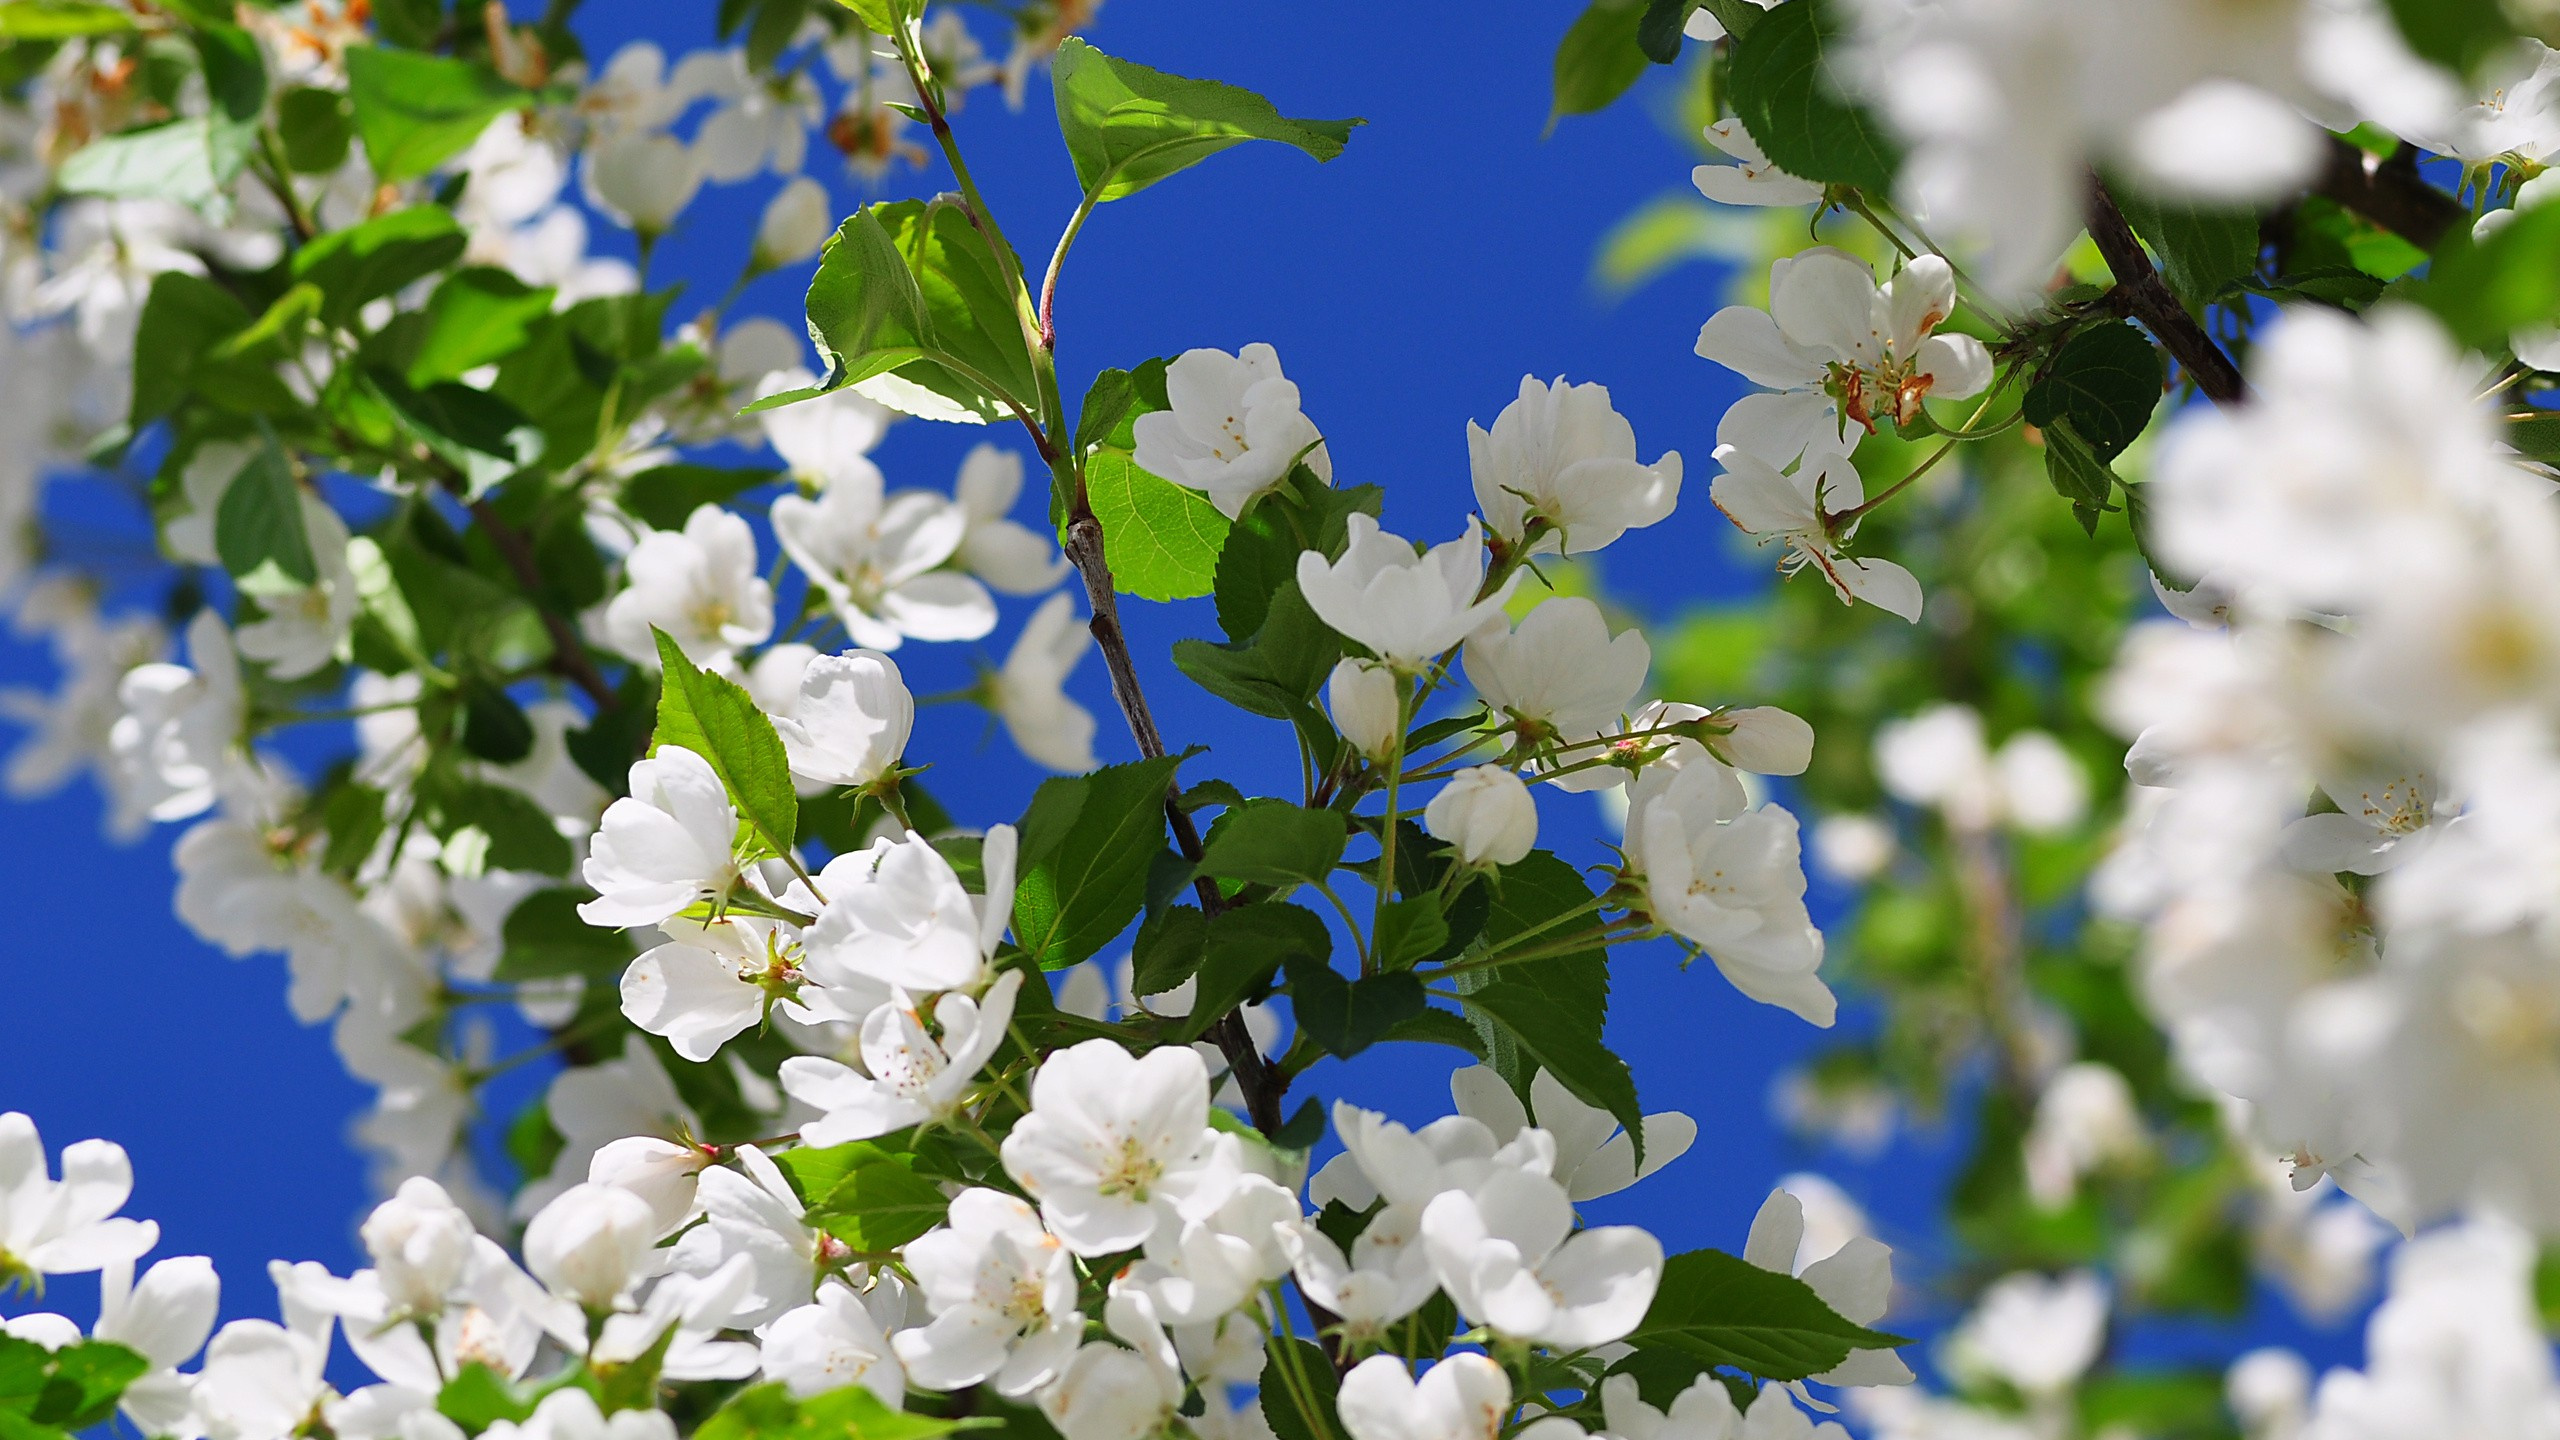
{"x":1002,"y":1293}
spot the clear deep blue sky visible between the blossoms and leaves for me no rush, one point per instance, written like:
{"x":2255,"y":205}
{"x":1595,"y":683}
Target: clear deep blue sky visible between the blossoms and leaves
{"x":1409,"y":288}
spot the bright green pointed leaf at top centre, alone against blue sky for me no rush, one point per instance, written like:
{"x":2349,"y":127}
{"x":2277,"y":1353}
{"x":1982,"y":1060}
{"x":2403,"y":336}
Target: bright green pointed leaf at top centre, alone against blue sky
{"x":1130,"y":127}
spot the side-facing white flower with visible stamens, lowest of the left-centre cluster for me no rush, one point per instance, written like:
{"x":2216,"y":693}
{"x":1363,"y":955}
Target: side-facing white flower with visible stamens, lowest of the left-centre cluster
{"x":915,"y":1075}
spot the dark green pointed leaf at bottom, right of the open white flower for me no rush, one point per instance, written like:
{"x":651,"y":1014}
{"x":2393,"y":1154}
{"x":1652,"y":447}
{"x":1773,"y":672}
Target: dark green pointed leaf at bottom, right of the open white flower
{"x":1732,"y":1313}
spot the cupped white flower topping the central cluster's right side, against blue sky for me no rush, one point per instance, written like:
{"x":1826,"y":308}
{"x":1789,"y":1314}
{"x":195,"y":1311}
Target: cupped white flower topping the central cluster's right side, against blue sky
{"x":1563,"y":462}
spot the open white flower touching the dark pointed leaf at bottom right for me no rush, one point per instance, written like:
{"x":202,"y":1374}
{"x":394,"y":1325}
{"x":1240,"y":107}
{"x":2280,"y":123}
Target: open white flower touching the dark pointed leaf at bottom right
{"x":1512,"y":1259}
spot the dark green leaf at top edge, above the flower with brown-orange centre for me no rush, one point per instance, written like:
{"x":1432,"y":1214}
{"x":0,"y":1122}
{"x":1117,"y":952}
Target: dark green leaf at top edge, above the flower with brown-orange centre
{"x":1786,"y":96}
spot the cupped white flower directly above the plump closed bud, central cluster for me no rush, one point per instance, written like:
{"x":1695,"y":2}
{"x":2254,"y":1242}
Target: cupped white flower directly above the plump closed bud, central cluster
{"x":1399,"y":603}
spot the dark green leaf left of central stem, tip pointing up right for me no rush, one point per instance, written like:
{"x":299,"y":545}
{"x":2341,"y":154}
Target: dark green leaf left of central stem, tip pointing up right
{"x":1087,"y":844}
